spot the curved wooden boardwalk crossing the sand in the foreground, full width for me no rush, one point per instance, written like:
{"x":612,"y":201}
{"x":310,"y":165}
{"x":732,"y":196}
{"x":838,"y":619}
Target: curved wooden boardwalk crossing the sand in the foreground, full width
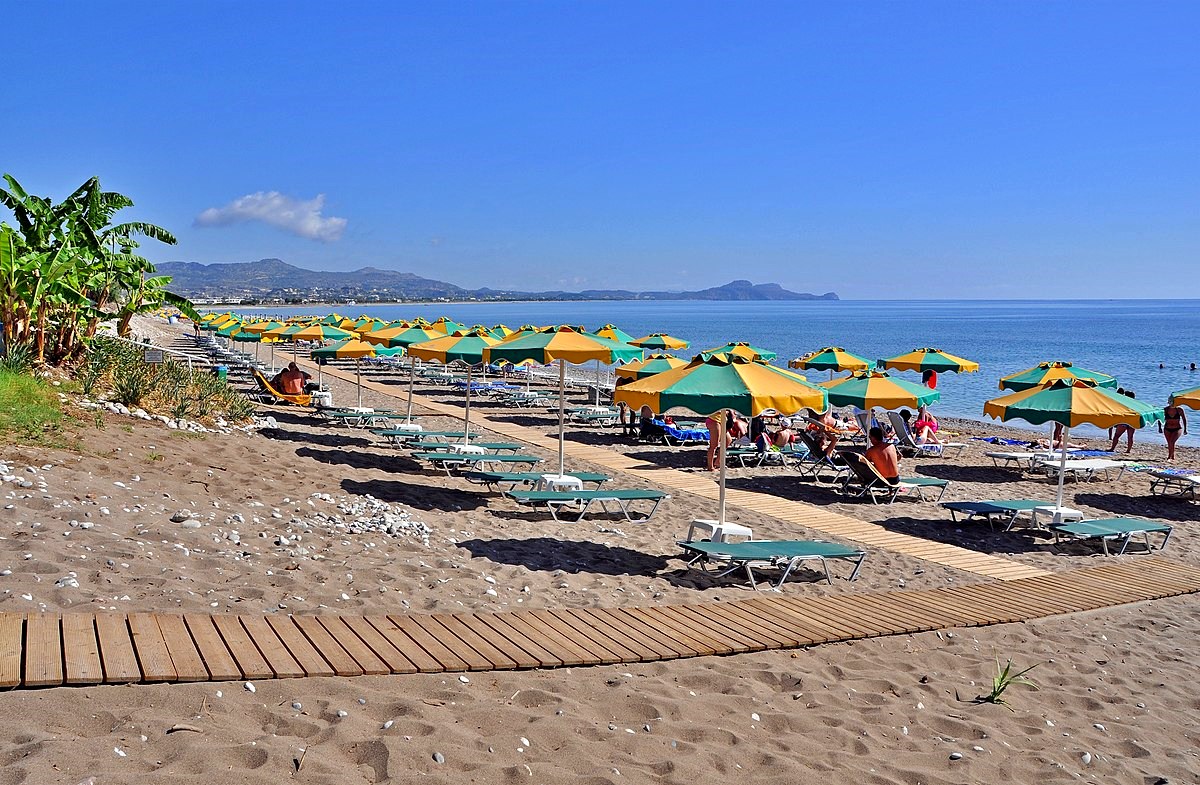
{"x":53,"y":650}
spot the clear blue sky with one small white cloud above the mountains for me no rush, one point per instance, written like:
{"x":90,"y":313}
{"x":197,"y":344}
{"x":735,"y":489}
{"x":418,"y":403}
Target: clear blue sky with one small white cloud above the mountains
{"x":879,"y":151}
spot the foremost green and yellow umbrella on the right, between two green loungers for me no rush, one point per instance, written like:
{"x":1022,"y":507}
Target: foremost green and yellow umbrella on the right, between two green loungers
{"x":1071,"y":403}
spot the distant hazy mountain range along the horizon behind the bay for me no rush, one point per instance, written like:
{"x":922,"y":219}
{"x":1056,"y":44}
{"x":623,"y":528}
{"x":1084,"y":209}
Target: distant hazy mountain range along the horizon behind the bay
{"x":277,"y":281}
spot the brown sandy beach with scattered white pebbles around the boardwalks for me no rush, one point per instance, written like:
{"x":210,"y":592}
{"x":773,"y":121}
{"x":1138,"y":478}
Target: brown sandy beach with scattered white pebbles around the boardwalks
{"x":280,"y":523}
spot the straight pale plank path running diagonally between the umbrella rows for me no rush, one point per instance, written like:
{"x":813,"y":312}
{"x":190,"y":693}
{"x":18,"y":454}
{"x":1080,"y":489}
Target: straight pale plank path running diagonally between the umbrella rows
{"x":800,"y":513}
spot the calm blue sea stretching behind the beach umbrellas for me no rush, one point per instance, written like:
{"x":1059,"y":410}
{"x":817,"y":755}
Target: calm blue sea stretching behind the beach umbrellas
{"x":1127,"y":339}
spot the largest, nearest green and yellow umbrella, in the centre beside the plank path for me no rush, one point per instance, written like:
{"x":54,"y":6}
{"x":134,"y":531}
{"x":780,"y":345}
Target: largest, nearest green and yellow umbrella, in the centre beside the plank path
{"x":713,"y":383}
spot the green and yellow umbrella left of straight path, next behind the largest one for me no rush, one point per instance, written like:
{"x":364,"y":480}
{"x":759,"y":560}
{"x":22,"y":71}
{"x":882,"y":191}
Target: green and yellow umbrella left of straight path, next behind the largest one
{"x":562,"y":345}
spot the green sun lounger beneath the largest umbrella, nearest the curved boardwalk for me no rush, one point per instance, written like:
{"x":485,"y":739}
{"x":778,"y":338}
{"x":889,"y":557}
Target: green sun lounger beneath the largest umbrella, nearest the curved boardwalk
{"x":772,"y":554}
